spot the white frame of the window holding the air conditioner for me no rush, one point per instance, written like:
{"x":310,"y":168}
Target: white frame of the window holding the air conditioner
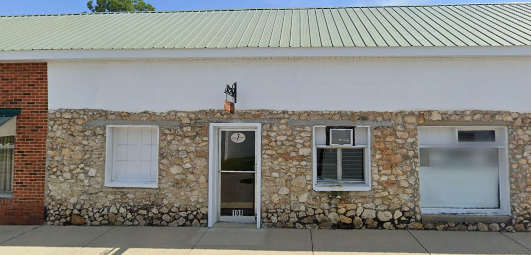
{"x":342,"y":186}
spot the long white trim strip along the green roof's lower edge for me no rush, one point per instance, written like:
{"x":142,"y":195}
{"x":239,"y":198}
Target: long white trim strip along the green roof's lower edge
{"x":471,"y":51}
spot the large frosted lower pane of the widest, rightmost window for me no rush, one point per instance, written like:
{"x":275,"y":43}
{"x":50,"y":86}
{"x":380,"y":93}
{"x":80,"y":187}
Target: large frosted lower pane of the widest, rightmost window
{"x":459,"y":178}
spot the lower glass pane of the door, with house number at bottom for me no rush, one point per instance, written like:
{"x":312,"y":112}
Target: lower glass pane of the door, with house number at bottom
{"x":237,"y":194}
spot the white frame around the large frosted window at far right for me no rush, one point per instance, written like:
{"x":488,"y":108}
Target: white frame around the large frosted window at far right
{"x":500,"y":143}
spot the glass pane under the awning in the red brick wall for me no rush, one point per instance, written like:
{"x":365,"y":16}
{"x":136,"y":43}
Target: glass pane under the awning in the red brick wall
{"x":7,"y":152}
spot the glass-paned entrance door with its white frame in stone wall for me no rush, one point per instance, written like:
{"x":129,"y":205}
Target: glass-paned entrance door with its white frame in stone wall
{"x":234,"y":173}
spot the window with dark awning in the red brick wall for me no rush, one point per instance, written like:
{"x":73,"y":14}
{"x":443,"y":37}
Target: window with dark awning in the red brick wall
{"x":8,"y":124}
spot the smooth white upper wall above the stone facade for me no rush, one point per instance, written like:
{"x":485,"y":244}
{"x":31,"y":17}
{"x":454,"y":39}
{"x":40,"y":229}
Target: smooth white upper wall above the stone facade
{"x":296,"y":84}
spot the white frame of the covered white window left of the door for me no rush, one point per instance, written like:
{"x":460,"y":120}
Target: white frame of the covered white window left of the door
{"x":109,"y":182}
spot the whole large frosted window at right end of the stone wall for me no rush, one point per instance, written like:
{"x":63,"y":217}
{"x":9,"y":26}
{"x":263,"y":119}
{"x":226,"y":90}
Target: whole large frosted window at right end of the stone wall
{"x":463,"y":170}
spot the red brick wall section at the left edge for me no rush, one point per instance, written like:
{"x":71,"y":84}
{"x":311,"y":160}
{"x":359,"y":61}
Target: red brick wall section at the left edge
{"x":25,"y":86}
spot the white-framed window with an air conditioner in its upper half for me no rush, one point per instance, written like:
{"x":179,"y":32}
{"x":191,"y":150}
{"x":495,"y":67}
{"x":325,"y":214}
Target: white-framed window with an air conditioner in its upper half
{"x":341,"y":158}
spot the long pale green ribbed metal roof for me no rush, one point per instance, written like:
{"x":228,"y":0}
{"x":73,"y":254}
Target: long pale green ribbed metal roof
{"x":385,"y":26}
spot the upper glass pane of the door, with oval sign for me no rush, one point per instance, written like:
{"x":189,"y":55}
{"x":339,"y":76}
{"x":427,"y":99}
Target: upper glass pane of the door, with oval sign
{"x":237,"y":151}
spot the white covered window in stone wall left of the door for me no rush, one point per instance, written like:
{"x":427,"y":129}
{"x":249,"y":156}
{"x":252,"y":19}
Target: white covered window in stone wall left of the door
{"x":132,"y":156}
